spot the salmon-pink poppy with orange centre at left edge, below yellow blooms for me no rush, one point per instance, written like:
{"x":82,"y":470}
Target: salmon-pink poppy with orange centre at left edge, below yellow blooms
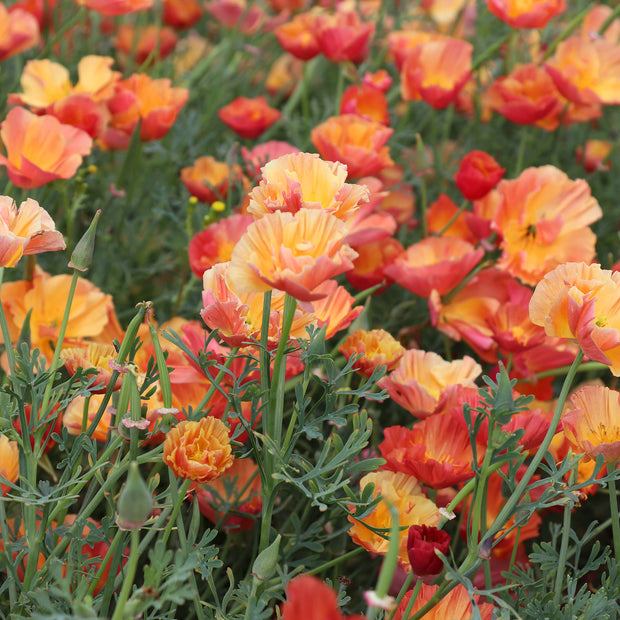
{"x":40,"y":149}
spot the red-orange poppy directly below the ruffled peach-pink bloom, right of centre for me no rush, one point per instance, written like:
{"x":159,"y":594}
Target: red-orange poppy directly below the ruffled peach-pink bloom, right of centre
{"x":437,"y":451}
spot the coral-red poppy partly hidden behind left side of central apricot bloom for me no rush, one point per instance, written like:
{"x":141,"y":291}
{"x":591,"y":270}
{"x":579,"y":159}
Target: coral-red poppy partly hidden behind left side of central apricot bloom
{"x":215,"y":243}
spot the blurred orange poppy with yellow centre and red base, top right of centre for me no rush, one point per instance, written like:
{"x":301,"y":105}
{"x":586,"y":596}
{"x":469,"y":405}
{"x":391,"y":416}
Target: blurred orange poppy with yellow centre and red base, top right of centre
{"x":436,"y":71}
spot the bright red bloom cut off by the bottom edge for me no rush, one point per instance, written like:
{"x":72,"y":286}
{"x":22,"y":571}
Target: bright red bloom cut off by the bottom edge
{"x":308,"y":598}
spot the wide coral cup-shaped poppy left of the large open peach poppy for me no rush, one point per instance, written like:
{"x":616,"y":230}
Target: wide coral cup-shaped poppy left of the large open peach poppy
{"x":435,"y":263}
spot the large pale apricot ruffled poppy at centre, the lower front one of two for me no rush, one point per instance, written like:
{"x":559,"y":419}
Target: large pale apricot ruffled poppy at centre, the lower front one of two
{"x":291,"y":253}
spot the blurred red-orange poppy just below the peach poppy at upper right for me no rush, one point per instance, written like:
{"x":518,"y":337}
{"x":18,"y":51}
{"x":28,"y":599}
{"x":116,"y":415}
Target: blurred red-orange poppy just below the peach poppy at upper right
{"x":526,"y":96}
